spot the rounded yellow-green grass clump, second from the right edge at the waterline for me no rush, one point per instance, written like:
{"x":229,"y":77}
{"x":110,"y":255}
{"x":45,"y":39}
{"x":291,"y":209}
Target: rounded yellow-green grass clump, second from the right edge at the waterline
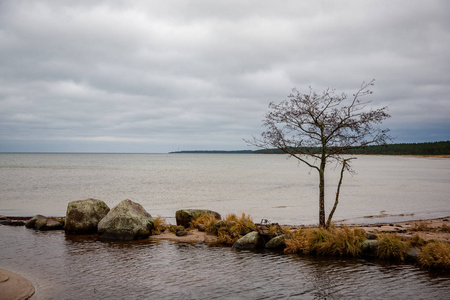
{"x":392,"y":247}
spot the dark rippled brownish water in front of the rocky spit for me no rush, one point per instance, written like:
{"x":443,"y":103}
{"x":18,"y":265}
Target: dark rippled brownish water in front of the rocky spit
{"x":82,"y":267}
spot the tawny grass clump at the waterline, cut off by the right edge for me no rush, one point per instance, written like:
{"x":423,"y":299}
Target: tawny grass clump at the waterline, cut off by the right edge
{"x":435,"y":255}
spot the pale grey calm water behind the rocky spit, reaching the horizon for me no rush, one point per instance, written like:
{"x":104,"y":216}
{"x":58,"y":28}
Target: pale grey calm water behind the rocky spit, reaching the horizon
{"x":264,"y":186}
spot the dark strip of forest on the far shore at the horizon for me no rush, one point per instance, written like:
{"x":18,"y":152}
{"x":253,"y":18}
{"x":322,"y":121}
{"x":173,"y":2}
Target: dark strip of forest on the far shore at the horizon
{"x":435,"y":148}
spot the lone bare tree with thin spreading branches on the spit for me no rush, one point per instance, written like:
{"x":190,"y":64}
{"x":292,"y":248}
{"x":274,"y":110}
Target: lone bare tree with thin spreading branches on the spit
{"x":319,"y":128}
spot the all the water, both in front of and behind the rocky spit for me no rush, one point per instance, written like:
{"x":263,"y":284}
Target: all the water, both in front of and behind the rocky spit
{"x":272,"y":187}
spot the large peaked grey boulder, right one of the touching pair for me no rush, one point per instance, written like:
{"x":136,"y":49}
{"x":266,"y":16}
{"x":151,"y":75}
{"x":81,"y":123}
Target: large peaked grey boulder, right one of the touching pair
{"x":128,"y":220}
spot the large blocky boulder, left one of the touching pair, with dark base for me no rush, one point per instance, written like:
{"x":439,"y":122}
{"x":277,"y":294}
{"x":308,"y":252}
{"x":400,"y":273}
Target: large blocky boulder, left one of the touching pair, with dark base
{"x":82,"y":216}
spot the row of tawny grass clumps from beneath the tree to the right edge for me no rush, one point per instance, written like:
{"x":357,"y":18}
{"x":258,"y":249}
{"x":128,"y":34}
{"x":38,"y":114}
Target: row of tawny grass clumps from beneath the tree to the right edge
{"x":347,"y":242}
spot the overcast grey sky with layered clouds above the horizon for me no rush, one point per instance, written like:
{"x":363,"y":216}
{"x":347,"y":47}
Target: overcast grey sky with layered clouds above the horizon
{"x":161,"y":76}
